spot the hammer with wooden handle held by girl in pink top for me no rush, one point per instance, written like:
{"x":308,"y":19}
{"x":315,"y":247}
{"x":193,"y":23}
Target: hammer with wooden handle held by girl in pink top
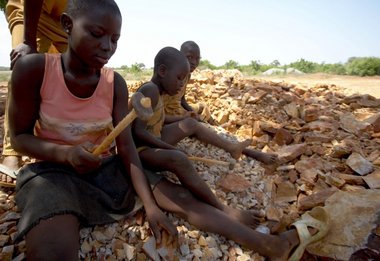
{"x":141,"y":107}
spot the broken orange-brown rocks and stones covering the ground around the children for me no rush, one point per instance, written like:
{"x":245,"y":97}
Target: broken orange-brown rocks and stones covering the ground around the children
{"x":328,"y":145}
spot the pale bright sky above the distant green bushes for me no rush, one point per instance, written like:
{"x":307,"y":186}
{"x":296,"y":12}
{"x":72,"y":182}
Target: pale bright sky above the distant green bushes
{"x":329,"y":31}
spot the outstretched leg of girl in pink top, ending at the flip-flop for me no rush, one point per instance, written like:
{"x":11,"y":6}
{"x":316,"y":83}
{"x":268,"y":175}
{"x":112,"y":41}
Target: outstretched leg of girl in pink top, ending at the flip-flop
{"x":177,"y":199}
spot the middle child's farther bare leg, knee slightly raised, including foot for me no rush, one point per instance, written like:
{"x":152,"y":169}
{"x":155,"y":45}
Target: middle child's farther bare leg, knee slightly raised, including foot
{"x":175,"y":132}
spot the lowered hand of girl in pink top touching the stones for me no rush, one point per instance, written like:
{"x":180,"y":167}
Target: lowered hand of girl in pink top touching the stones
{"x":158,"y":222}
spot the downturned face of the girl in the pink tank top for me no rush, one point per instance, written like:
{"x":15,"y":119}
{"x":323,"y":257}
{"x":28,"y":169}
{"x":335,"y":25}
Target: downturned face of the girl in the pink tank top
{"x":93,"y":37}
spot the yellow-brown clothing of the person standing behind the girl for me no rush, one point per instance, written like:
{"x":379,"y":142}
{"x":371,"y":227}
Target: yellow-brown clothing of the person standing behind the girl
{"x":50,"y":39}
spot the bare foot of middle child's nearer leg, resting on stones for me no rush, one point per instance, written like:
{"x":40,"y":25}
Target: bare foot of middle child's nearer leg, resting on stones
{"x":250,"y":218}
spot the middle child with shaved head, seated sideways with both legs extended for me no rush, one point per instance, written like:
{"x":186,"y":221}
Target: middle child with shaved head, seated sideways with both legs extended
{"x":156,"y":141}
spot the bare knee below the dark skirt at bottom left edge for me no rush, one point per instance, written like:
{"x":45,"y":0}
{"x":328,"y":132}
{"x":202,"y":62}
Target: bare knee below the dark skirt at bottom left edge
{"x":55,"y":238}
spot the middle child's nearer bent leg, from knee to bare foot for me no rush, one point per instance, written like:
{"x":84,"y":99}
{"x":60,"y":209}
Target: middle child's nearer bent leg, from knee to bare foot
{"x":178,"y":163}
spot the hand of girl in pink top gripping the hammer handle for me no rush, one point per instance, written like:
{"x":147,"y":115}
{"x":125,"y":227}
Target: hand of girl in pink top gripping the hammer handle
{"x":82,"y":160}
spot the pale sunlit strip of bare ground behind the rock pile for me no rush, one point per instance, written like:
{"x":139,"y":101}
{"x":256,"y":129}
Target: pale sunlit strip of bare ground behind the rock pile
{"x":352,"y":84}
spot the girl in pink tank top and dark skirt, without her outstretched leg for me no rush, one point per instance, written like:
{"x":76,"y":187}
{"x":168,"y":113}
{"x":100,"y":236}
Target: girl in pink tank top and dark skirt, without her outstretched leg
{"x":68,"y":107}
